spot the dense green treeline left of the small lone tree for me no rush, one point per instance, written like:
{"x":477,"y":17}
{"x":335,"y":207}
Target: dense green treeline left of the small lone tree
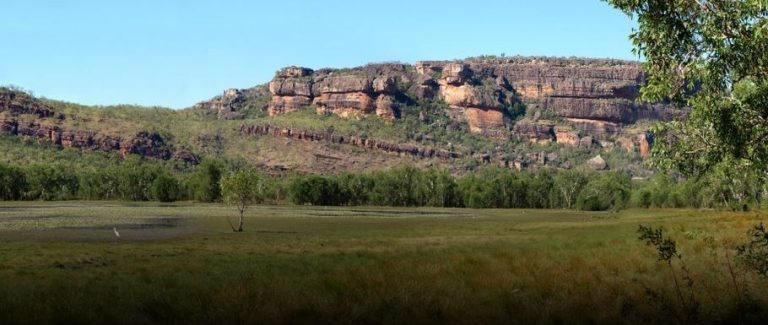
{"x":132,"y":179}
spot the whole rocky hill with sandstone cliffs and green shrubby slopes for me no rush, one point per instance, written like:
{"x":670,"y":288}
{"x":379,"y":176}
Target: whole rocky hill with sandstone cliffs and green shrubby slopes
{"x":520,"y":113}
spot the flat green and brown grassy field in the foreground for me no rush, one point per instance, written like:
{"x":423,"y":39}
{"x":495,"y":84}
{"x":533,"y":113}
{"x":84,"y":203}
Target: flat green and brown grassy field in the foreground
{"x":61,"y":262}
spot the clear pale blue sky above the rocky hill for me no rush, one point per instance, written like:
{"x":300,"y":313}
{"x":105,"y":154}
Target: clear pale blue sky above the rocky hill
{"x":175,"y":53}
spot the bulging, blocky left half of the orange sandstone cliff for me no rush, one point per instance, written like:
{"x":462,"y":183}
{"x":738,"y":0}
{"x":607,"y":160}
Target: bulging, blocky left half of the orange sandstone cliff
{"x":382,"y":89}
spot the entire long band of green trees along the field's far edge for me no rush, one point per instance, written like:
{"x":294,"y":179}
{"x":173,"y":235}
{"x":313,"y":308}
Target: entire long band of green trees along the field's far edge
{"x":136,"y":180}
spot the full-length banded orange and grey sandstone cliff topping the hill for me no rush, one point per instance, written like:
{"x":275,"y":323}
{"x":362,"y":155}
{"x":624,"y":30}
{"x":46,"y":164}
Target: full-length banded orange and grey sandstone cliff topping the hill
{"x":595,"y":100}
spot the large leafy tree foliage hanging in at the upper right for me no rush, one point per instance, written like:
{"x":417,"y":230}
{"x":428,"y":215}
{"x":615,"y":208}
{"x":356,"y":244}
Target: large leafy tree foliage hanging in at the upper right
{"x":712,"y":56}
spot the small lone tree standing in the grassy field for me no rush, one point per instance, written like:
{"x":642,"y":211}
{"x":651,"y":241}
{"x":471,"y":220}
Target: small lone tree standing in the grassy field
{"x":241,"y":188}
